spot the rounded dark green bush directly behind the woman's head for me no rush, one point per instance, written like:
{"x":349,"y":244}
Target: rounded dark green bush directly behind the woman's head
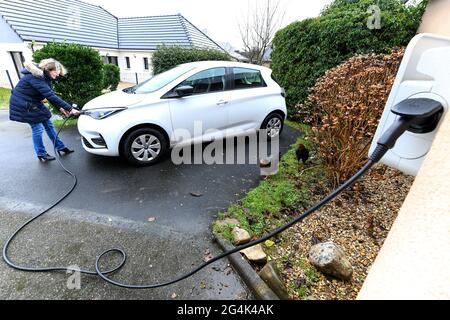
{"x":84,"y":81}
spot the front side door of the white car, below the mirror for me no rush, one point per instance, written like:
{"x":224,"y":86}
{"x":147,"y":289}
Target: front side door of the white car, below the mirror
{"x":205,"y":109}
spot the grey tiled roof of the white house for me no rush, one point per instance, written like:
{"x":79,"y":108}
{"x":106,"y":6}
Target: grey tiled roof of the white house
{"x":87,"y":24}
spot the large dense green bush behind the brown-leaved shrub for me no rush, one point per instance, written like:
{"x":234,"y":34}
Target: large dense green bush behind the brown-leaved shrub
{"x":305,"y":50}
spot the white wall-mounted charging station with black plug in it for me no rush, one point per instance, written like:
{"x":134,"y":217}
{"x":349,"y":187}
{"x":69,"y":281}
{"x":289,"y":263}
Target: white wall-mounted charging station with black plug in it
{"x":424,"y":73}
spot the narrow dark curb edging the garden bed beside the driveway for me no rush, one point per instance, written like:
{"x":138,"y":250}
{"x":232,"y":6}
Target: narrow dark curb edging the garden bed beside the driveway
{"x":253,"y":281}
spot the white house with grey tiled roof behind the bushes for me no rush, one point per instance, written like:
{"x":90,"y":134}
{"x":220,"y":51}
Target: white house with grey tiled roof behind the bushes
{"x":27,"y":25}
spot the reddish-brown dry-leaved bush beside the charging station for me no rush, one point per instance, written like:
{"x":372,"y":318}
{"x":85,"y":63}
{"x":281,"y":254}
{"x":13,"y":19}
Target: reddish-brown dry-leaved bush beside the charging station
{"x":350,"y":100}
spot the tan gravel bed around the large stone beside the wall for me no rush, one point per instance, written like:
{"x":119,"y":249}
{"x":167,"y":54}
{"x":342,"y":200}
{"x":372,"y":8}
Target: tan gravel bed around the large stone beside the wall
{"x":358,"y":221}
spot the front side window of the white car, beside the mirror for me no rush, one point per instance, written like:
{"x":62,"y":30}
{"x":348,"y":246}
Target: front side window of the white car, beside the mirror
{"x":207,"y":81}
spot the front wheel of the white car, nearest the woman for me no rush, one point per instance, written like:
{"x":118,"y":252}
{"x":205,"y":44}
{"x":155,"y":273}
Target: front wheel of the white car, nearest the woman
{"x":145,"y":147}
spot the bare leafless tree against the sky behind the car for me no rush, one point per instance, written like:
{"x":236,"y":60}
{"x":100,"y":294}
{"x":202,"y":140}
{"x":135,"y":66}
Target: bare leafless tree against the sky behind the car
{"x":259,"y":28}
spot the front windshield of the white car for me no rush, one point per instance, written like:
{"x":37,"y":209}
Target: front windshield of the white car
{"x":159,"y":81}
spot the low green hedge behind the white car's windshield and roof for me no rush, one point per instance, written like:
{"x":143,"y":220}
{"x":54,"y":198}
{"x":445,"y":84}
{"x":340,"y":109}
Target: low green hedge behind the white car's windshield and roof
{"x":166,"y":58}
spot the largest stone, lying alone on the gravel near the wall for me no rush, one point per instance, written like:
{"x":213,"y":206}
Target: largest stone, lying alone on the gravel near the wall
{"x":329,"y":259}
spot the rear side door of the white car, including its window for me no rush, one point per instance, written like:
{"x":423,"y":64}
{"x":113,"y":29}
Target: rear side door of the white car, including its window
{"x":248,"y":100}
